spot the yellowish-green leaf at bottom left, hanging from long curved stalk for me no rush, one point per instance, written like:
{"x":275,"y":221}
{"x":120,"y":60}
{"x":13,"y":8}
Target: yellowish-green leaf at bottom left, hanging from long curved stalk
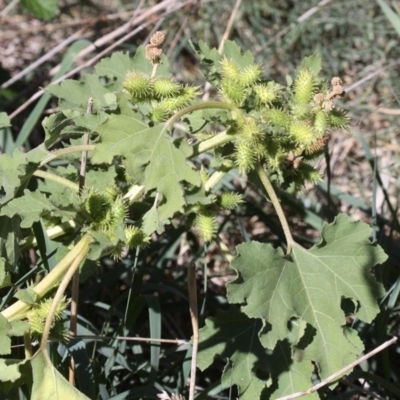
{"x":49,"y":384}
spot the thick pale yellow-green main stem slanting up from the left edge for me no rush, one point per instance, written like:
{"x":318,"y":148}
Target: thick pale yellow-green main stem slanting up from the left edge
{"x":19,"y":308}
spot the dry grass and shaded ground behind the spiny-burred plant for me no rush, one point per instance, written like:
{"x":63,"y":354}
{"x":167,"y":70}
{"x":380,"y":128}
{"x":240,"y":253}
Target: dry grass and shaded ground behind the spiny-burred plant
{"x":357,"y":41}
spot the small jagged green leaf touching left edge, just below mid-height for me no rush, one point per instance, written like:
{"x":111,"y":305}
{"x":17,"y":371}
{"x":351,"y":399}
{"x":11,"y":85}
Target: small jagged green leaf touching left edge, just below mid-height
{"x":30,"y":207}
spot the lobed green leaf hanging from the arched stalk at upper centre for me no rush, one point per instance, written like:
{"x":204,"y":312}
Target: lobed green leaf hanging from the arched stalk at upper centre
{"x":151,"y":158}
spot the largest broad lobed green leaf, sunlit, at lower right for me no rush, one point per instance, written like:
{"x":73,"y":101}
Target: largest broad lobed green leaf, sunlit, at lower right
{"x":310,"y":285}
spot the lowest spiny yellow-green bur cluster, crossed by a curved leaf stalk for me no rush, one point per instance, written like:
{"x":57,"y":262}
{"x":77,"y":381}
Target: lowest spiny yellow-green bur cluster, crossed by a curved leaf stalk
{"x":37,"y":316}
